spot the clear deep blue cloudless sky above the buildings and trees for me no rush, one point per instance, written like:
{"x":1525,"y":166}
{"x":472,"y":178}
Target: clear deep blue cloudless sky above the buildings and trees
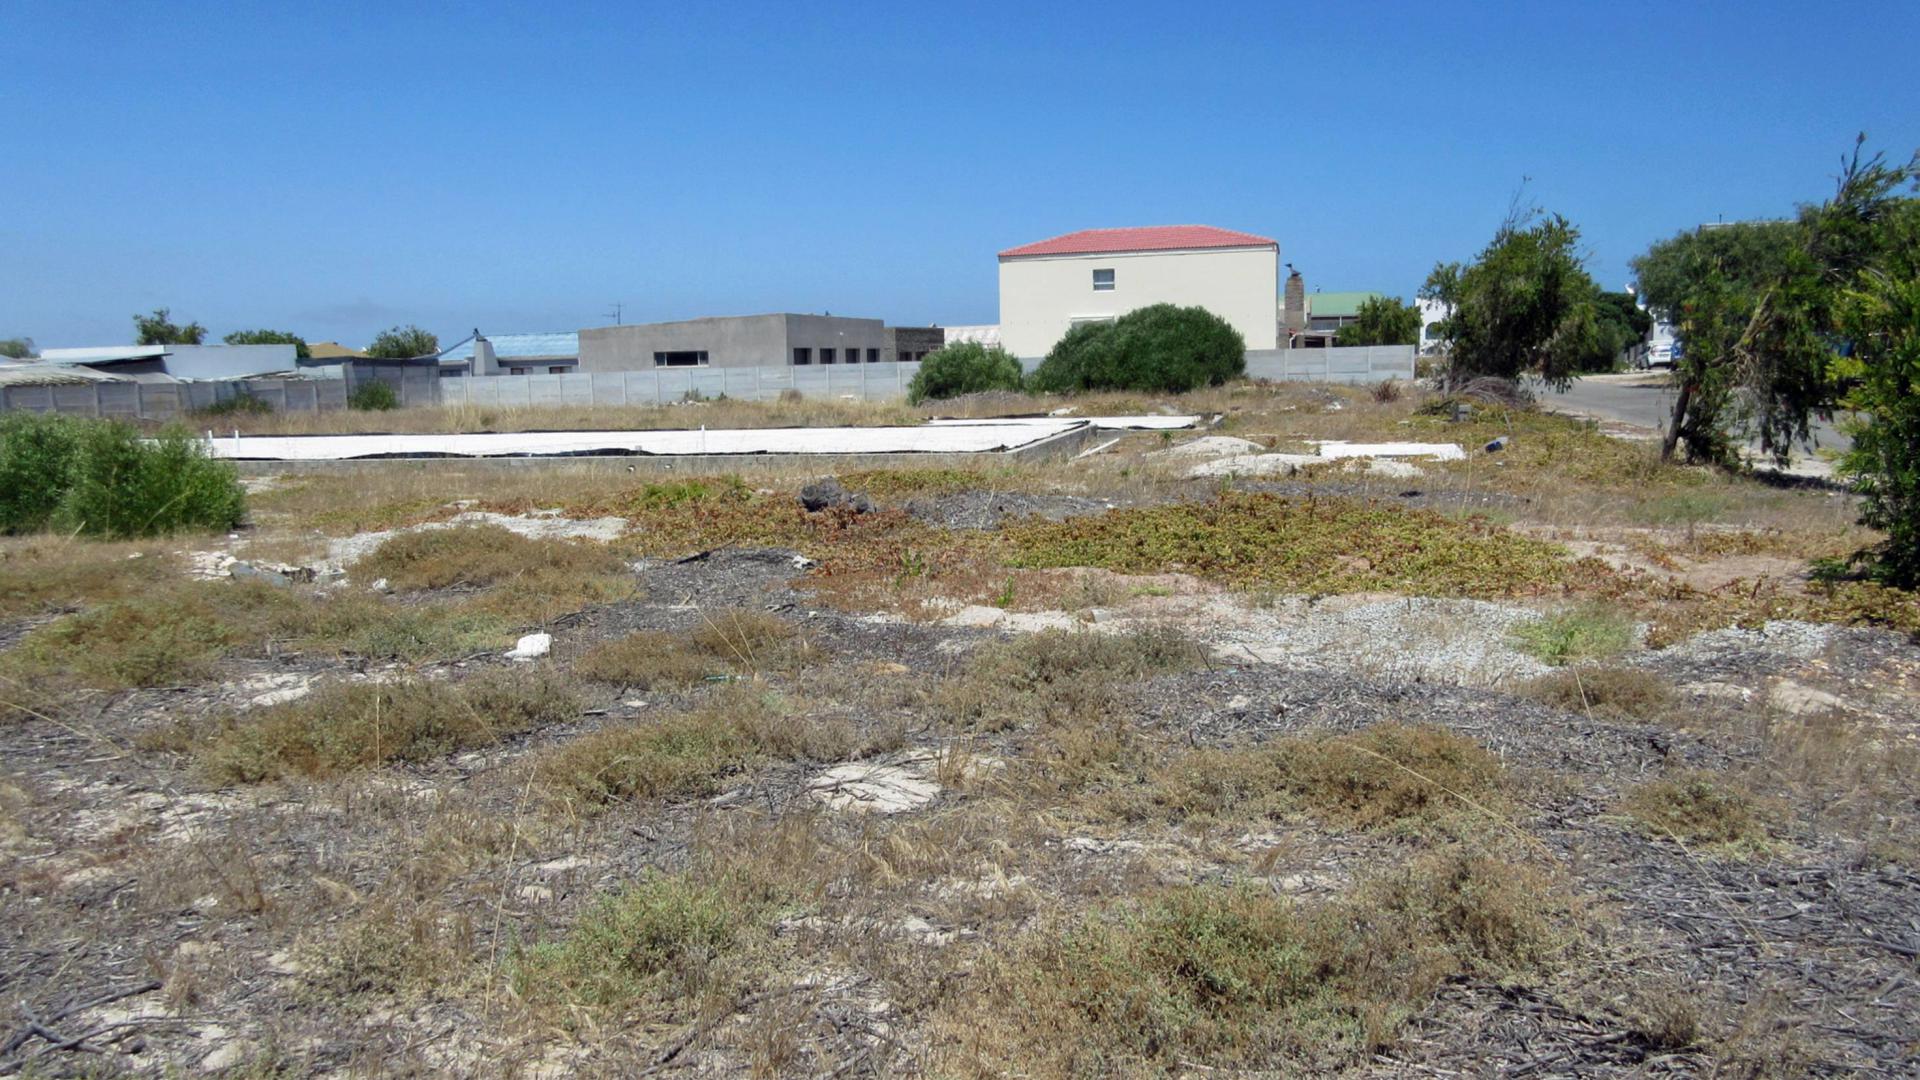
{"x":341,"y":168}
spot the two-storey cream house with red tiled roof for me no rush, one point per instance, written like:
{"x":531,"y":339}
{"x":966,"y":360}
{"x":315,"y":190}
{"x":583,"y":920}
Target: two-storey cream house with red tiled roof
{"x":1103,"y":274}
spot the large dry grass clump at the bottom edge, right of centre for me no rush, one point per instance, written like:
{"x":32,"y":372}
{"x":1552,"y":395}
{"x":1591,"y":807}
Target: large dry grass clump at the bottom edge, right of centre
{"x":1222,"y":977}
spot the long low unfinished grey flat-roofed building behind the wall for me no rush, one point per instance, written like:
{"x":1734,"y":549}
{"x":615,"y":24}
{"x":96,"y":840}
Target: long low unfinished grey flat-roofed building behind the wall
{"x":754,"y":341}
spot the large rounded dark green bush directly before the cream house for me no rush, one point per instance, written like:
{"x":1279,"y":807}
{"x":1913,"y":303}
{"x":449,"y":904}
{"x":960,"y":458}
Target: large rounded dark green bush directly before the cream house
{"x":1159,"y":349}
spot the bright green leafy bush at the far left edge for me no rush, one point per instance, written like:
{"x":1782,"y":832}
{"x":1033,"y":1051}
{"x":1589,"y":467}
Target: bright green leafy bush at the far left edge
{"x":105,"y":479}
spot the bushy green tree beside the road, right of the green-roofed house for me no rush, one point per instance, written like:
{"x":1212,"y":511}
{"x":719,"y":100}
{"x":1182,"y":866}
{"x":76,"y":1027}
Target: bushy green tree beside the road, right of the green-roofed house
{"x":1525,"y":307}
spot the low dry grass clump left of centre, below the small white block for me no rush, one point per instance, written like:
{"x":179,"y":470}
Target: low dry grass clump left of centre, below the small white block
{"x":362,"y":725}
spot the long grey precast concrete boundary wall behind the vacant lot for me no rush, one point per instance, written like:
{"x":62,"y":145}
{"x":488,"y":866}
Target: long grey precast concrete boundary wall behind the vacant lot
{"x":859,"y":381}
